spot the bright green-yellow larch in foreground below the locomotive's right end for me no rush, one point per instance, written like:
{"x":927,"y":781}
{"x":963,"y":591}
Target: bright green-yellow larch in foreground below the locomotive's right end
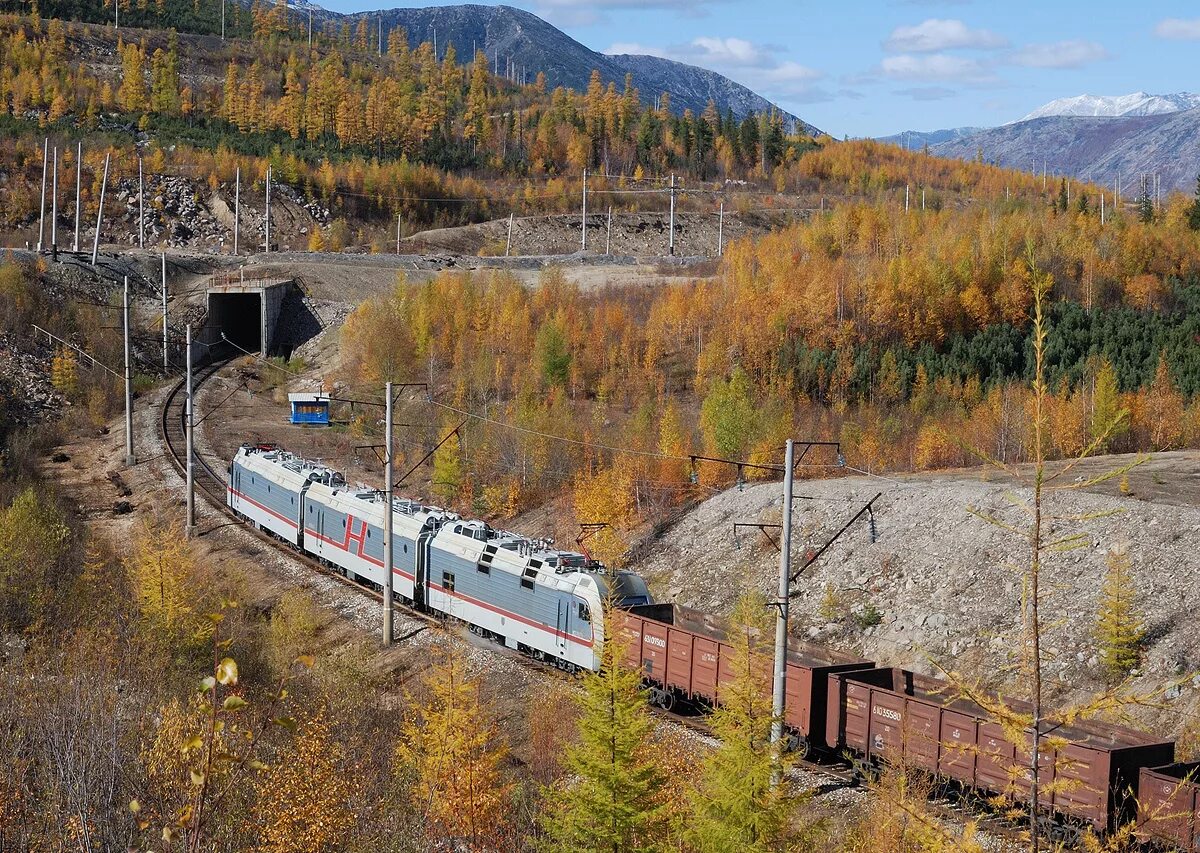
{"x":611,"y":803}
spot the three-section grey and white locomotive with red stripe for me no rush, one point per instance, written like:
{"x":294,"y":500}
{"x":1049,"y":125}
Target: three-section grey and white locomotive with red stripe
{"x":520,"y":592}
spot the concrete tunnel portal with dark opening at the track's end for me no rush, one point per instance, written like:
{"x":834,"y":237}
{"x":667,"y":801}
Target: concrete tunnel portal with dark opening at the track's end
{"x":247,"y":315}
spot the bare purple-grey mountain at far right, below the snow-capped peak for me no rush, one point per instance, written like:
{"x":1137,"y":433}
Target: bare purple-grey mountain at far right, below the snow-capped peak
{"x":1095,"y":148}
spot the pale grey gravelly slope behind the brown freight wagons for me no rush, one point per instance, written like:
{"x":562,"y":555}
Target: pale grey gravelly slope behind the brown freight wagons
{"x":944,"y":585}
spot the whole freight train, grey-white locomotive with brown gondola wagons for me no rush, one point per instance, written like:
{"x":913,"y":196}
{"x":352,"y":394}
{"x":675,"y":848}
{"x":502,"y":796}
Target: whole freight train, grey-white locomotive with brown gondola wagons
{"x":550,"y":605}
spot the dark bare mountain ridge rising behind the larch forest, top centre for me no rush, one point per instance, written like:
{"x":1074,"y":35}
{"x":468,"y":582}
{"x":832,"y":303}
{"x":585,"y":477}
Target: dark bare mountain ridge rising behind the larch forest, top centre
{"x":525,"y":44}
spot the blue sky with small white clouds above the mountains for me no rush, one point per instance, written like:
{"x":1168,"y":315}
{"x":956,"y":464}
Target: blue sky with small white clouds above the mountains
{"x":873,"y":68}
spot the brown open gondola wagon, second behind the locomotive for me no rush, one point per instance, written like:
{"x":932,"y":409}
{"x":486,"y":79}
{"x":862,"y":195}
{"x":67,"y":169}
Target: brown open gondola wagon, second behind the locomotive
{"x":896,"y":716}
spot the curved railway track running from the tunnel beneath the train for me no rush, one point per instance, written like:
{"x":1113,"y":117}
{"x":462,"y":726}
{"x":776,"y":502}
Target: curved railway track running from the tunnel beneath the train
{"x":213,"y":486}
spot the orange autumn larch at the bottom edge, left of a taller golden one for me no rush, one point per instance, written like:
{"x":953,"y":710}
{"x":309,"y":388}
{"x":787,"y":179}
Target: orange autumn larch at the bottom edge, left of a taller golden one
{"x":303,"y":798}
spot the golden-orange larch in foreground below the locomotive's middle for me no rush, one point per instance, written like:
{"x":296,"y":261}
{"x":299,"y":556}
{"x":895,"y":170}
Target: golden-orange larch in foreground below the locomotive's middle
{"x":453,"y":755}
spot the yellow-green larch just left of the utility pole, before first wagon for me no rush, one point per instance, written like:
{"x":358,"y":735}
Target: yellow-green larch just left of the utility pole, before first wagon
{"x":735,"y":807}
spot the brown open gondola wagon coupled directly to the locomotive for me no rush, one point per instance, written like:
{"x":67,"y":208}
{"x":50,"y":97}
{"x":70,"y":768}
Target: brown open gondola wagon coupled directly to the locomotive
{"x":685,"y":658}
